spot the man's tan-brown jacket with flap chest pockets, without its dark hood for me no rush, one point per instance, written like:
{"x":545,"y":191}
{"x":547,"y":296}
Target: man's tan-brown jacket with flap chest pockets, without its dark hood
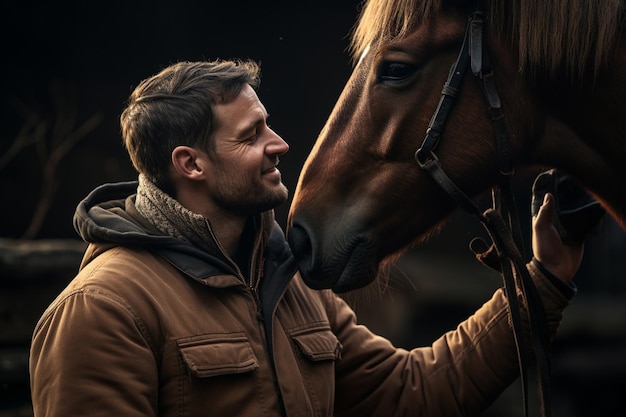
{"x":143,"y":332}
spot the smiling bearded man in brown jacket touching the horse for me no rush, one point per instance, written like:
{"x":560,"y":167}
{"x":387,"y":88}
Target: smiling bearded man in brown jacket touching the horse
{"x":188,"y":302}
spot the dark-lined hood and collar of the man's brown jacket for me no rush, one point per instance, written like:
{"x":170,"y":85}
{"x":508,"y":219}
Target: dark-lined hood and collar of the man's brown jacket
{"x":108,"y":215}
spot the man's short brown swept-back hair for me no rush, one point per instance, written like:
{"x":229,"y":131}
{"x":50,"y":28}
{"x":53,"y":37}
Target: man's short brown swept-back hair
{"x":175,"y":107}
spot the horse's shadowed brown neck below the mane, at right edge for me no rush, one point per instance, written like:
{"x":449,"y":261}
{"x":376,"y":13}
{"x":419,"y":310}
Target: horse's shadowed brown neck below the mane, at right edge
{"x":588,"y":138}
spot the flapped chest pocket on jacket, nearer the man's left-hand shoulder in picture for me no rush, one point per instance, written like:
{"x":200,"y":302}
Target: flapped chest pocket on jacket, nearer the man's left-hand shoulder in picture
{"x":218,"y":354}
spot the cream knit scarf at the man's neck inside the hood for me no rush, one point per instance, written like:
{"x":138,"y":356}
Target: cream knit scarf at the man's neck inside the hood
{"x":172,"y":219}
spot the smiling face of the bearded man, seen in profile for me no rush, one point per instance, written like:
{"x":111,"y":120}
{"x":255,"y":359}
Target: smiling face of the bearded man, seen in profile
{"x":244,"y":178}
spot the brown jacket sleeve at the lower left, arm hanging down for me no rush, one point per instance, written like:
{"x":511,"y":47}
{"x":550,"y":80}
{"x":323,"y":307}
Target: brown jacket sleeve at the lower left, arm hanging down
{"x":90,"y":357}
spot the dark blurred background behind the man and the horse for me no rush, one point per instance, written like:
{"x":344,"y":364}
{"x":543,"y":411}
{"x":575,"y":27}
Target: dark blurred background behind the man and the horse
{"x":68,"y":63}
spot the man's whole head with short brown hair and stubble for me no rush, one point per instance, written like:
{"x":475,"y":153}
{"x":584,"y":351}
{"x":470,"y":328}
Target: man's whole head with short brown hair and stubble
{"x":199,"y":131}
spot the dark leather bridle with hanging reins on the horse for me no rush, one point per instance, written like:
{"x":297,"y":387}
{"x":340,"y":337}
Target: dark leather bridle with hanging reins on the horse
{"x":506,"y":236}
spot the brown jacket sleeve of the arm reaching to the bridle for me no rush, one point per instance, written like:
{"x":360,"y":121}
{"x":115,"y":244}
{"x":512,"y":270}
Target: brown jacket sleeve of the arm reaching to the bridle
{"x":461,"y":374}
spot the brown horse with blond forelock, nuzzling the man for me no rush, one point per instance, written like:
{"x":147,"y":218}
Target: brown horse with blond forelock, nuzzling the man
{"x":555,"y":72}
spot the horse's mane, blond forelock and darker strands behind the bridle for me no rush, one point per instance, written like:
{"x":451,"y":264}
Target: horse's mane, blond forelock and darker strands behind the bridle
{"x":568,"y":37}
